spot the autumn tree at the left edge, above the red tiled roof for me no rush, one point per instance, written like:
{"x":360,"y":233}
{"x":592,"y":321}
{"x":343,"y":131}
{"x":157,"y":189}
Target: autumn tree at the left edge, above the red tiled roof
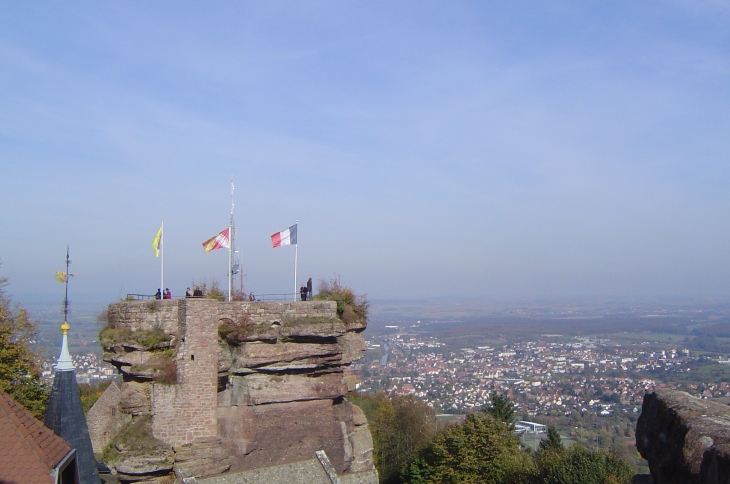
{"x":19,"y":364}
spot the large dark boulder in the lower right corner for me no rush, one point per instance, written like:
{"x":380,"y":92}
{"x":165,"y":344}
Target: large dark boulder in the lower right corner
{"x":684,"y":439}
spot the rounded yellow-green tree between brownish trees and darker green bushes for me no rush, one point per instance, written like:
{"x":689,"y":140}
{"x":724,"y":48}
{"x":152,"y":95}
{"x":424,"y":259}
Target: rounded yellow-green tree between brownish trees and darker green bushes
{"x":481,"y":450}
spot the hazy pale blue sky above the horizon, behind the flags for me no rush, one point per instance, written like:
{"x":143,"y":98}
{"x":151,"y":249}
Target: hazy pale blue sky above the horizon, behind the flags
{"x":483,"y":149}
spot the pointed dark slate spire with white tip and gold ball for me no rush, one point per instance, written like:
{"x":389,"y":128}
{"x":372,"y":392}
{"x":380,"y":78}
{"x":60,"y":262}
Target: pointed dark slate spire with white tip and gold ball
{"x":65,"y":416}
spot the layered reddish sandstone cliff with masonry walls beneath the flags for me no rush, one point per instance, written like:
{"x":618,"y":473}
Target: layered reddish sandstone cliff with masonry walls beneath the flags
{"x":229,"y":386}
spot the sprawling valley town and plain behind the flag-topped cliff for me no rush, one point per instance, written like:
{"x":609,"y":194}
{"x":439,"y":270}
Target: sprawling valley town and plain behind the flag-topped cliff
{"x":584,"y":371}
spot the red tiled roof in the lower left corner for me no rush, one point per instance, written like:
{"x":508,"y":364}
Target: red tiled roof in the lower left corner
{"x":28,"y":449}
